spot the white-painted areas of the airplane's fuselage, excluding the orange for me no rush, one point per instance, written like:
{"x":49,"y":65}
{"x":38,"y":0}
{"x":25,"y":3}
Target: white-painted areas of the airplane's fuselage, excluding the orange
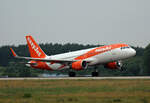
{"x":101,"y":58}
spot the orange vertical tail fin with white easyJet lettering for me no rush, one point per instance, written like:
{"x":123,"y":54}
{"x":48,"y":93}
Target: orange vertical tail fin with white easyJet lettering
{"x":34,"y":48}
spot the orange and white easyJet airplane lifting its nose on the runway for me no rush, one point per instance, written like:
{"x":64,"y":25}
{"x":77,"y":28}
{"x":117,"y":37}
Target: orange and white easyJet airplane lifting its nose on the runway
{"x":110,"y":56}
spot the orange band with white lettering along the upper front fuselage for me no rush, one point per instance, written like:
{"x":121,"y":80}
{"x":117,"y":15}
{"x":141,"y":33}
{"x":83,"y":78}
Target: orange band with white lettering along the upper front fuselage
{"x":99,"y":50}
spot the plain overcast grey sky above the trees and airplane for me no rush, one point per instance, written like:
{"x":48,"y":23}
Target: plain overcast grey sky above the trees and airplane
{"x":75,"y":21}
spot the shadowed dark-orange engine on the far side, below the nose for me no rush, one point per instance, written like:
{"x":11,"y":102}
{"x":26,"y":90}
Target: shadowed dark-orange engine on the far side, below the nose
{"x":114,"y":65}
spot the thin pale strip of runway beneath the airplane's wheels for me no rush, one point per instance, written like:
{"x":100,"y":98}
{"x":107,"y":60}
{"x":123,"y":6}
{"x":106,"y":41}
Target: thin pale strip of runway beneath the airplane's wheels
{"x":78,"y":78}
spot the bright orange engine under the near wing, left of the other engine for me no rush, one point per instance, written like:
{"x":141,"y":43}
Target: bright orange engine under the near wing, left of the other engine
{"x":79,"y":65}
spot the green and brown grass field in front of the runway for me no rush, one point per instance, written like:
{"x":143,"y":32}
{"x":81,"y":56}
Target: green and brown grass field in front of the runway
{"x":75,"y":91}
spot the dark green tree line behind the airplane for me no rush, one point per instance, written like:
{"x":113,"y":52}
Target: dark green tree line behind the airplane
{"x":135,"y":66}
